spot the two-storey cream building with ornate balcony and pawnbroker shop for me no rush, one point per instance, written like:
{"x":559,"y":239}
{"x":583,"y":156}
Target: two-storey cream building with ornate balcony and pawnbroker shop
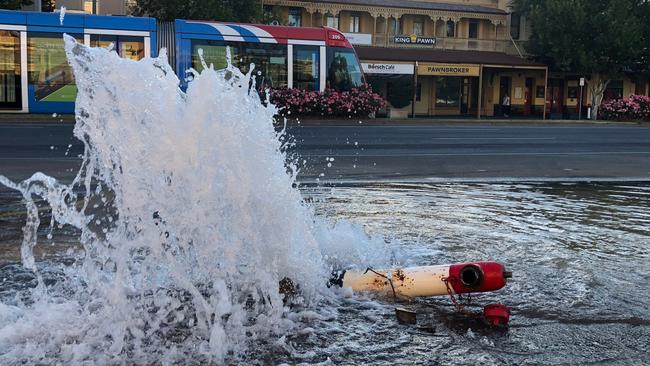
{"x":451,"y":58}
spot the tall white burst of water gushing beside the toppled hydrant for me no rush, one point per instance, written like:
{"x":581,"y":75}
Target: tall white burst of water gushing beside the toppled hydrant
{"x":188,"y":220}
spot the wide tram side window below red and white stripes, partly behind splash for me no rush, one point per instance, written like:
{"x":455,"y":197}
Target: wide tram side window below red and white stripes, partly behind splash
{"x":270,"y":60}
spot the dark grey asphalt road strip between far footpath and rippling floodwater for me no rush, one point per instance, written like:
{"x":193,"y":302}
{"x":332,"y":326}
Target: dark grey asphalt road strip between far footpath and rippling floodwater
{"x":360,"y":152}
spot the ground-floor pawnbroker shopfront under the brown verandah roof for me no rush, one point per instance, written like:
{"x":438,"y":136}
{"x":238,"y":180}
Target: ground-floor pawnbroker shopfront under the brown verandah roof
{"x":464,"y":83}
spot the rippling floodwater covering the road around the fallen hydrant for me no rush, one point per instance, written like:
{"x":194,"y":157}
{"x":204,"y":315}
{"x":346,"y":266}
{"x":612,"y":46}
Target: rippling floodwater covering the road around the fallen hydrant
{"x":579,"y":253}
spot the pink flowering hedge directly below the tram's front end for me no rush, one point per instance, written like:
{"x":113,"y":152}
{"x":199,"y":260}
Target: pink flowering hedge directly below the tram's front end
{"x":358,"y":102}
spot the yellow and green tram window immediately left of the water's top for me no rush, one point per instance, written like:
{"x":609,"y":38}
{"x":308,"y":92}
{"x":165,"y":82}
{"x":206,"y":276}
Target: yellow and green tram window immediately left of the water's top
{"x":48,"y":68}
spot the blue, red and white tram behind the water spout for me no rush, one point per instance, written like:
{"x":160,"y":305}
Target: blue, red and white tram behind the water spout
{"x":35,"y":76}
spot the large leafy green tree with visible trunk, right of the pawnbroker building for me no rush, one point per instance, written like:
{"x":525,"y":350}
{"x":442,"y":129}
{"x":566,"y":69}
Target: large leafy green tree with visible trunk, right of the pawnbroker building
{"x":600,"y":39}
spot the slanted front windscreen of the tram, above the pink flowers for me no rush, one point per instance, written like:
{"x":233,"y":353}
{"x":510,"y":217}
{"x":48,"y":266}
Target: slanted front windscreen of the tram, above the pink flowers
{"x":343,"y":70}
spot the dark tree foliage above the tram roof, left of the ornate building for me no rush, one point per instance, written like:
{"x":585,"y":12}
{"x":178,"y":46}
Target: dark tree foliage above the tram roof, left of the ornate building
{"x":245,"y":11}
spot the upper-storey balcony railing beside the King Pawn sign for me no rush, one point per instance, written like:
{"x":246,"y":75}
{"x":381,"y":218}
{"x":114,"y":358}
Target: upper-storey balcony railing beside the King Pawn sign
{"x":445,"y":43}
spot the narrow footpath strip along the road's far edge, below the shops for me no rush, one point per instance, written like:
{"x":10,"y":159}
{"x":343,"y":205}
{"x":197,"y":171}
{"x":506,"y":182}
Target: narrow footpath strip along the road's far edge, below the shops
{"x":54,"y":119}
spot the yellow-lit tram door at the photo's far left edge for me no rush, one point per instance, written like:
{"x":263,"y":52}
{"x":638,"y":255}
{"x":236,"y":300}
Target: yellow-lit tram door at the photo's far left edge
{"x":10,"y":83}
